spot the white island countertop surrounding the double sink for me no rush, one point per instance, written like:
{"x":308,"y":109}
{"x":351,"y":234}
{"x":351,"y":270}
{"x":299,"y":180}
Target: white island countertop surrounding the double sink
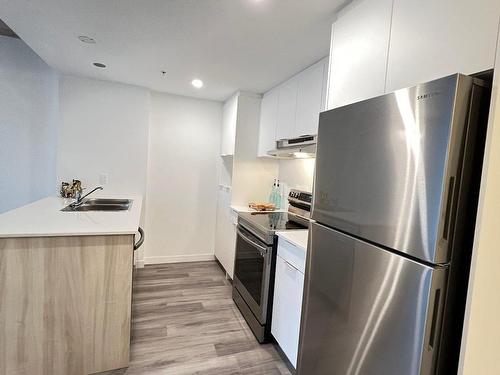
{"x":44,"y":218}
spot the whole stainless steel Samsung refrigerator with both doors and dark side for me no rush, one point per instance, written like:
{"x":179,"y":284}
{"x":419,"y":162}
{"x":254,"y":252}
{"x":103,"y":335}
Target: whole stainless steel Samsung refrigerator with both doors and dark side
{"x":395,"y":197}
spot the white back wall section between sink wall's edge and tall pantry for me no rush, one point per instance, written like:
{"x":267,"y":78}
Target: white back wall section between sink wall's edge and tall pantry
{"x":181,"y":203}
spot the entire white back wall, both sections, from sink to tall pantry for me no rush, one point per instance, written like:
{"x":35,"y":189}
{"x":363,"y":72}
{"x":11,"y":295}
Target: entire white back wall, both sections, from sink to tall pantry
{"x":104,"y":129}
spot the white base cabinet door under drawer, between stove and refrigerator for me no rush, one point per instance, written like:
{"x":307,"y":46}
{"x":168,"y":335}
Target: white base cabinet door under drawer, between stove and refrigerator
{"x":287,"y":307}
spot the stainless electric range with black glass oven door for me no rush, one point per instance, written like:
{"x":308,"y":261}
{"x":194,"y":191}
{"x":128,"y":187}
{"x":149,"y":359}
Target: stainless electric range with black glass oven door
{"x":255,"y":260}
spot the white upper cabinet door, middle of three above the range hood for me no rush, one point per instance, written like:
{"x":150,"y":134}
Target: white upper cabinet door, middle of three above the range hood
{"x":287,"y":108}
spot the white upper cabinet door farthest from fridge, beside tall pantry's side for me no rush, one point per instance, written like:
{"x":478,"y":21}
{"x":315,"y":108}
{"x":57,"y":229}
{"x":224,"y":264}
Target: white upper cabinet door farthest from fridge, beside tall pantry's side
{"x":267,"y":125}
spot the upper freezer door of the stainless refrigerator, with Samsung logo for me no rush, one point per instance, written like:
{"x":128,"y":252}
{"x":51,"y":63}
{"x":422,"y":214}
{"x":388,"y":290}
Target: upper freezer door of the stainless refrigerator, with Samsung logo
{"x":385,"y":167}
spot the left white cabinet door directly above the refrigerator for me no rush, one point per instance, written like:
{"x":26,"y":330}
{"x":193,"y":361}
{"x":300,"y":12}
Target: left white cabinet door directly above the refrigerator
{"x":358,"y":54}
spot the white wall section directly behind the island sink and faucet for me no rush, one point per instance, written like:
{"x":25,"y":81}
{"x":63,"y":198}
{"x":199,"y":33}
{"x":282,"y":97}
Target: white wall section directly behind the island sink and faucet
{"x":103,"y":129}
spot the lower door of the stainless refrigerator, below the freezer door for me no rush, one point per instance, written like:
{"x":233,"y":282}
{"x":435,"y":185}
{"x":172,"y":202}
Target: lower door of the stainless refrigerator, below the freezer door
{"x":367,"y":311}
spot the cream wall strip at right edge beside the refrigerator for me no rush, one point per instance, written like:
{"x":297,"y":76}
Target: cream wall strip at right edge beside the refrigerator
{"x":481,"y":337}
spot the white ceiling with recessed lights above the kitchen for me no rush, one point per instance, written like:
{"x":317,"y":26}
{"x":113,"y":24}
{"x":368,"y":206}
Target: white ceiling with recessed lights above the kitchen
{"x":231,"y":45}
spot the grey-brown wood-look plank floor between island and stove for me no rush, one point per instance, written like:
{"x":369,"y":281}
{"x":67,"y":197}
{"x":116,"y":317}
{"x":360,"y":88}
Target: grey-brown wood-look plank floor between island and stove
{"x":185,"y":322}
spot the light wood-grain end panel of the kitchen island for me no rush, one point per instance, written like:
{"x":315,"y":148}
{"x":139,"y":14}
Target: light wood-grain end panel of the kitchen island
{"x":65,"y":304}
